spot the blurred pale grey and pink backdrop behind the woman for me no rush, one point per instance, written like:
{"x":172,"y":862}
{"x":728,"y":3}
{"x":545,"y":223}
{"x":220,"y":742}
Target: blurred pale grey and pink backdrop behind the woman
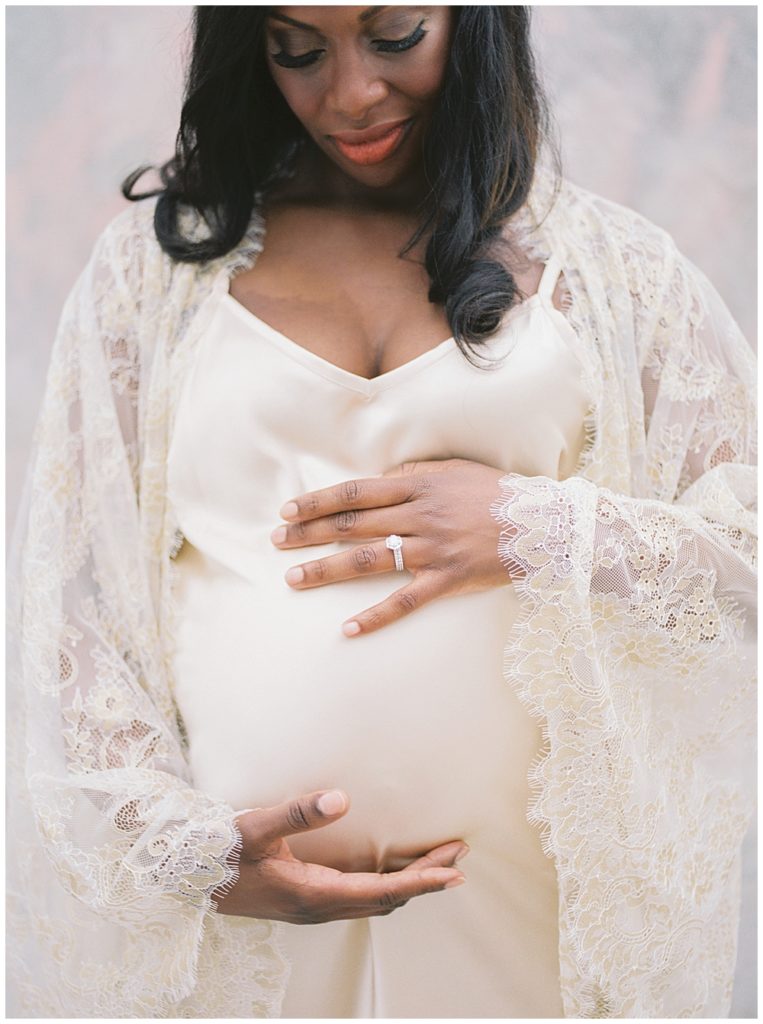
{"x":656,"y":109}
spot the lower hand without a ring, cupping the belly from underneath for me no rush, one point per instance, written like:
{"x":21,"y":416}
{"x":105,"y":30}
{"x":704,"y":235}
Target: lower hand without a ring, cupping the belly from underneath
{"x":273,"y":884}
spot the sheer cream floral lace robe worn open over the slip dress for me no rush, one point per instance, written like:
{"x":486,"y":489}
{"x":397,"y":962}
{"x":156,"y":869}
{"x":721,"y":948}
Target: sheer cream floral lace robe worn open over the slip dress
{"x":634,"y":648}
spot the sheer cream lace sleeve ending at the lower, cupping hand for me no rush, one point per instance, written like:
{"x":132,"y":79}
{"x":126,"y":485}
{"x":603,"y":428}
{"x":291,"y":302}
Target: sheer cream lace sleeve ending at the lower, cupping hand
{"x":103,"y":771}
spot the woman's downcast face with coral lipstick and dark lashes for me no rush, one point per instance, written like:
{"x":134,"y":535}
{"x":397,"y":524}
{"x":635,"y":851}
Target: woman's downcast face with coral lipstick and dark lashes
{"x":363,"y":81}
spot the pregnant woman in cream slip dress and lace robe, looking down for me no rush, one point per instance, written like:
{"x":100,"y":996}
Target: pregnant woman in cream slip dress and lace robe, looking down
{"x":392,"y":503}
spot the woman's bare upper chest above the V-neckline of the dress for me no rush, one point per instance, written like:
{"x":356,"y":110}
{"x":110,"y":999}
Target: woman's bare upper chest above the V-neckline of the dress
{"x":336,"y":285}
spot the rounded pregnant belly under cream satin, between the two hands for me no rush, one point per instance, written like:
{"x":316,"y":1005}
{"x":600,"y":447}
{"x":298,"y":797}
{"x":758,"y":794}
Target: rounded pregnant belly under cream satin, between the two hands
{"x":415,"y":722}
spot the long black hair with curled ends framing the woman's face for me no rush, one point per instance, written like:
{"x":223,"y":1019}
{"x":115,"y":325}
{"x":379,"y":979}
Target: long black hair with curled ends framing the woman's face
{"x":238,"y":138}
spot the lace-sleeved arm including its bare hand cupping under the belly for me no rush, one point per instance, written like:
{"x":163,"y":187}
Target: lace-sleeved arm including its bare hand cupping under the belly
{"x":141,"y":858}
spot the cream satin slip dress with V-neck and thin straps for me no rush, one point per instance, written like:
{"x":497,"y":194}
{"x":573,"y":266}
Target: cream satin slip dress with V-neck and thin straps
{"x":416,"y":721}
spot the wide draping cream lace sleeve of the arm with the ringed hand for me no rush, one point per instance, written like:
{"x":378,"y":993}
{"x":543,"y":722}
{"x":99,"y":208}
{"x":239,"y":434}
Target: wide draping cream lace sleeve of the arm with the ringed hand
{"x":637,"y":648}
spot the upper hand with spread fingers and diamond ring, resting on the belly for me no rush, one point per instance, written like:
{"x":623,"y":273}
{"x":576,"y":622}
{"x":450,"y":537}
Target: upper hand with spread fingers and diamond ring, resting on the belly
{"x":442,"y":511}
